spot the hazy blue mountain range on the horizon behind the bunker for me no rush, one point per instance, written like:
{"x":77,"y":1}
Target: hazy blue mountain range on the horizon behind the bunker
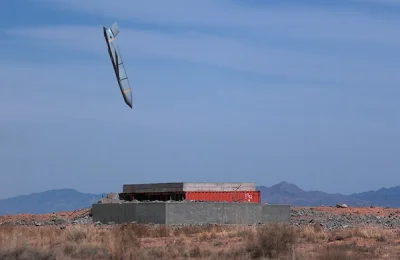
{"x":281,"y":193}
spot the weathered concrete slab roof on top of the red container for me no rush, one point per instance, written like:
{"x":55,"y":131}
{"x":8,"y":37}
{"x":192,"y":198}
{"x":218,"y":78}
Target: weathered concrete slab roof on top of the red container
{"x":189,"y":186}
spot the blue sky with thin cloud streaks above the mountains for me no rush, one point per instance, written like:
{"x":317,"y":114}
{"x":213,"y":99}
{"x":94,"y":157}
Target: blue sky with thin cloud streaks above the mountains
{"x":263,"y":91}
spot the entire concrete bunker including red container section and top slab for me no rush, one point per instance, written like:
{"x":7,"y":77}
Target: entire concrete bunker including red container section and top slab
{"x":190,"y":203}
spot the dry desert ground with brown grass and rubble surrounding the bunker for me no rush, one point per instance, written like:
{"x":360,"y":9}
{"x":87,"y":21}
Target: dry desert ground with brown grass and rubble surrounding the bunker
{"x":314,"y":233}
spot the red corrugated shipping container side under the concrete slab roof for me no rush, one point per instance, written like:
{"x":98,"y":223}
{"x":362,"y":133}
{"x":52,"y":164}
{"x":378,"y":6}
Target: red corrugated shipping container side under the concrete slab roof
{"x":230,"y":196}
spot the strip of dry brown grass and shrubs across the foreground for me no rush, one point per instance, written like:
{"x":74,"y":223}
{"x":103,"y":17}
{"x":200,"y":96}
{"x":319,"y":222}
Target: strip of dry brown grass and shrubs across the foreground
{"x":136,"y":241}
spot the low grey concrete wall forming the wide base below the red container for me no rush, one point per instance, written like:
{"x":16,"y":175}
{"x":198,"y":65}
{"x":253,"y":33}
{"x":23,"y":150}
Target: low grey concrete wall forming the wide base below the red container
{"x":176,"y":213}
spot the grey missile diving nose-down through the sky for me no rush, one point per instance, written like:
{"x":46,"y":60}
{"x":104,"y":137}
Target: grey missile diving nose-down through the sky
{"x":110,"y":35}
